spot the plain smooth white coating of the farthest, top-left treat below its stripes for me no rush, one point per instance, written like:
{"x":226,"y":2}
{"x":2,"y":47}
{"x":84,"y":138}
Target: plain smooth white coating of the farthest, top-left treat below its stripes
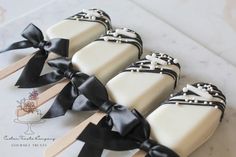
{"x":79,"y":33}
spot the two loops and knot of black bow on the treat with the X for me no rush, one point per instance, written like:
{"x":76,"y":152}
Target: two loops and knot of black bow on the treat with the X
{"x":122,"y":118}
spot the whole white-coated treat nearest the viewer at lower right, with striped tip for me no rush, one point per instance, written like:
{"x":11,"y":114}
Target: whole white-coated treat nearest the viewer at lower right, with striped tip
{"x":188,"y":119}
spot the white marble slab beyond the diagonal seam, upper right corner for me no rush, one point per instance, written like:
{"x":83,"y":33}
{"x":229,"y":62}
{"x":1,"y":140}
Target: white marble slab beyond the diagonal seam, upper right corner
{"x":211,"y":23}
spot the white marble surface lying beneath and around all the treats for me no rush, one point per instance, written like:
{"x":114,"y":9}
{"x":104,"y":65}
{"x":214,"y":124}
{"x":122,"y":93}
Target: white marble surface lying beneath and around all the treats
{"x":180,"y":28}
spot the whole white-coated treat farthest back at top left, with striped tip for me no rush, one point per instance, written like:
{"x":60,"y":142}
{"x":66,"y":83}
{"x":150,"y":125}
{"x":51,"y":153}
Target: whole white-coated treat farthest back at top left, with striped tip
{"x":81,"y":29}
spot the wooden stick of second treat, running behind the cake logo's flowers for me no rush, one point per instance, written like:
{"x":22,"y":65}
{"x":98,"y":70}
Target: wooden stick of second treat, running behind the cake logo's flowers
{"x":46,"y":95}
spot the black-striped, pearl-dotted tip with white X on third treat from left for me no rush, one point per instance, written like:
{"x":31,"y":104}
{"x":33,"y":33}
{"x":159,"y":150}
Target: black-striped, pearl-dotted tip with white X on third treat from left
{"x":156,"y":63}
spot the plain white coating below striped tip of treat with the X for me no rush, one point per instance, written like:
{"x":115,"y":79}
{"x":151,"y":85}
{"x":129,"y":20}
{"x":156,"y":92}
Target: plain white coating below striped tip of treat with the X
{"x":143,"y":91}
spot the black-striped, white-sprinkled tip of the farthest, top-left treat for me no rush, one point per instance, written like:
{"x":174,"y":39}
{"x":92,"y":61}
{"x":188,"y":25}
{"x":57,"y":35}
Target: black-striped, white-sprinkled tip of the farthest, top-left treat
{"x":93,"y":15}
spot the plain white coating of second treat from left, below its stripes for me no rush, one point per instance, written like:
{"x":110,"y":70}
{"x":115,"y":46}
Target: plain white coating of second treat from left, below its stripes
{"x":105,"y":58}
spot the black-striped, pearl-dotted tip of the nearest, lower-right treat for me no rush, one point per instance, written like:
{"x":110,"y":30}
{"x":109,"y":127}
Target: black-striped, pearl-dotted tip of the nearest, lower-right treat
{"x":201,"y":94}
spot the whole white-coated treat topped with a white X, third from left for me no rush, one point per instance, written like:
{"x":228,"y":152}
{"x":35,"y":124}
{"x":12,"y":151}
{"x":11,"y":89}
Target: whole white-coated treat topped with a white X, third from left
{"x":146,"y":83}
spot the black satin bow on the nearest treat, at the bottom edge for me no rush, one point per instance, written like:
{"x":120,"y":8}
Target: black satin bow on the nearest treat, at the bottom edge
{"x":98,"y":137}
